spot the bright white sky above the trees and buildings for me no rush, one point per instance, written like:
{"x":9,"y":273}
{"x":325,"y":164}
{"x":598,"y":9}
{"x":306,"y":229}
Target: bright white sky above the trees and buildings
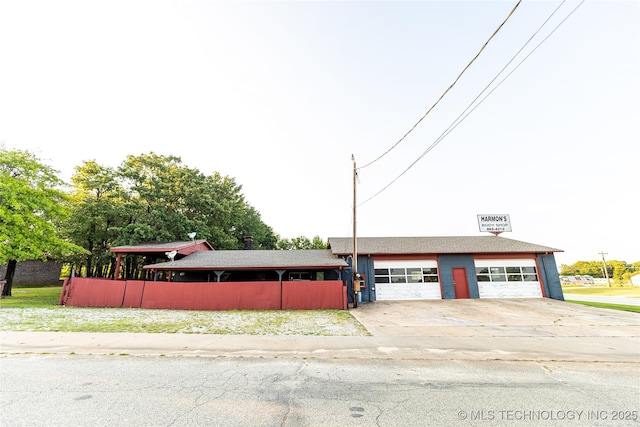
{"x":279,"y":95}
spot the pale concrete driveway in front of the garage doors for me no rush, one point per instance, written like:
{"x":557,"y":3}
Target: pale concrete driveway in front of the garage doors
{"x":494,"y":317}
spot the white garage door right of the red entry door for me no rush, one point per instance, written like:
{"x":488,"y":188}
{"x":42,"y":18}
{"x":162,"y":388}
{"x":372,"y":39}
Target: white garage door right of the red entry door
{"x":508,"y":278}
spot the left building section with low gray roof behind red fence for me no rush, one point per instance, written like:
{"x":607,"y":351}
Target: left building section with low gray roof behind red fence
{"x":206,"y":279}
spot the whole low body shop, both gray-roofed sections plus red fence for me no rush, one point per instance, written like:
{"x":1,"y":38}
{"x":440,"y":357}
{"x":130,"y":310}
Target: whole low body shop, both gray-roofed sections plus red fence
{"x":391,"y":268}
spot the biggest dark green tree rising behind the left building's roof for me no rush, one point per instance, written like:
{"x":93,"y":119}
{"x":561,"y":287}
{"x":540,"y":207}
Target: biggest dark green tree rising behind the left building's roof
{"x":166,"y":200}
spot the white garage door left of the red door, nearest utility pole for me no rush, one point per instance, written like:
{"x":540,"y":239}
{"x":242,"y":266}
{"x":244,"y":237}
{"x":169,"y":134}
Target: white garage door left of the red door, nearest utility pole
{"x":407,"y":280}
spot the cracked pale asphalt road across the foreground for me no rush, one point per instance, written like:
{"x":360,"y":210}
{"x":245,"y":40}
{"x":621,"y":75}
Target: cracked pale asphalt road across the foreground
{"x":74,"y":390}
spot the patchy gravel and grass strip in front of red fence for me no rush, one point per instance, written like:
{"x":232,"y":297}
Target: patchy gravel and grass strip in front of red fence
{"x":73,"y":319}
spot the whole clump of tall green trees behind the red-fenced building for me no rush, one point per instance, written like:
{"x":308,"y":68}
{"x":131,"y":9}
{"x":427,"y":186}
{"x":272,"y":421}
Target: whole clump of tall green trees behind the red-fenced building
{"x":151,"y":197}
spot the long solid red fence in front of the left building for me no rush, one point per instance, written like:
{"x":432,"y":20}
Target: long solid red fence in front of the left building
{"x":312,"y":295}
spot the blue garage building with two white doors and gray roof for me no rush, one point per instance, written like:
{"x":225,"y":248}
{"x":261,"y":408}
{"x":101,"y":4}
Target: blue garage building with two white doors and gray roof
{"x":414,"y":268}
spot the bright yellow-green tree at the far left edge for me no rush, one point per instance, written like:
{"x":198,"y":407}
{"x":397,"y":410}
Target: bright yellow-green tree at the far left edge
{"x":32,"y":206}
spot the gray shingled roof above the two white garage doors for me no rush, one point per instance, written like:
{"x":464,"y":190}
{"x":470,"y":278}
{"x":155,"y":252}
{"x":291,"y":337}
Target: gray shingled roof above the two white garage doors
{"x":434,"y":245}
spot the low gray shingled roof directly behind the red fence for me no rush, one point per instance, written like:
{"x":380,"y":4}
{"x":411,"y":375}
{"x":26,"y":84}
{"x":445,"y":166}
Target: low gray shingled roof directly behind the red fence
{"x":250,"y":259}
